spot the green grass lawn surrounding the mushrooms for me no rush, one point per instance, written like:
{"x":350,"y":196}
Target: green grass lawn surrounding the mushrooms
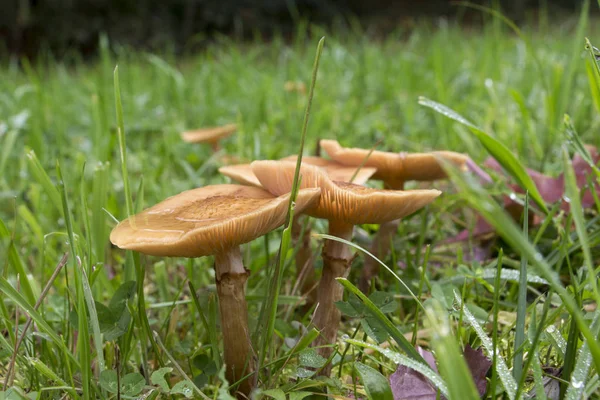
{"x":78,"y":152}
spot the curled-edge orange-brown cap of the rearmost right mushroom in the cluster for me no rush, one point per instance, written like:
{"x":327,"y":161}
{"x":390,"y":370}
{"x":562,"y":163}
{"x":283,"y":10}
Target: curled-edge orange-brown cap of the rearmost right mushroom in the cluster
{"x":396,"y":166}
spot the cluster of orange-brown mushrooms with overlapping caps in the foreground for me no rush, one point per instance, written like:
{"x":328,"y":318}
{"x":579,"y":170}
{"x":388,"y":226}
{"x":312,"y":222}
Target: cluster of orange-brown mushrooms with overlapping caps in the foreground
{"x":216,"y":220}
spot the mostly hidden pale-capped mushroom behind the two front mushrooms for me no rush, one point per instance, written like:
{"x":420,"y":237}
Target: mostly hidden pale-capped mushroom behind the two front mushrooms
{"x":337,"y":172}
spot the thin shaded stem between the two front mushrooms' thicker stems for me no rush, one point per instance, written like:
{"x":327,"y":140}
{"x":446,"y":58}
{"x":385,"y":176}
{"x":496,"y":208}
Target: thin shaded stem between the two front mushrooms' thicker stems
{"x":304,"y":258}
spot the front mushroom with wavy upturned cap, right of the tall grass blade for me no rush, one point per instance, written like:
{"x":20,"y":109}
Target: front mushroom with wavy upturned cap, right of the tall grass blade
{"x":343,"y":205}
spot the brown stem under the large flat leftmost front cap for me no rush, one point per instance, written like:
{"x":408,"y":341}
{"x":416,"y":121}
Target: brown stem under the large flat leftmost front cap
{"x":231,"y":278}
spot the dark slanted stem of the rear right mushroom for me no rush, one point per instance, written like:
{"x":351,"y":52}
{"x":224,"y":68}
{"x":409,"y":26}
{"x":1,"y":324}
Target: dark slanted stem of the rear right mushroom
{"x":380,"y":247}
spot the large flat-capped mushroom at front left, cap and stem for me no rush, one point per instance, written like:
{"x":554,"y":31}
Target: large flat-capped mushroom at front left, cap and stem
{"x":215,"y":220}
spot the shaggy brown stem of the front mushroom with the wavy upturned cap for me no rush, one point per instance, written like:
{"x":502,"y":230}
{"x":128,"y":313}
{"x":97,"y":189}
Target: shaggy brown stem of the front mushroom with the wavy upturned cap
{"x":337,"y":258}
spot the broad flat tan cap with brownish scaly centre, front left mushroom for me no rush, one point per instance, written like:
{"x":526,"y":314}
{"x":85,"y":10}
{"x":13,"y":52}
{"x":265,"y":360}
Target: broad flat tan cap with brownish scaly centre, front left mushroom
{"x":205,"y":221}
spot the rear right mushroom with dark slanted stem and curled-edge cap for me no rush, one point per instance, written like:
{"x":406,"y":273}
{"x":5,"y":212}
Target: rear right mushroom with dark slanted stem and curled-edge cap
{"x":394,"y":169}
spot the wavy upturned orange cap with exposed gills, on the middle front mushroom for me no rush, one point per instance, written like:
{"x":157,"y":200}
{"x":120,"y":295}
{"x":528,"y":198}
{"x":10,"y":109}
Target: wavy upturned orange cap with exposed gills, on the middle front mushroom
{"x":340,"y":201}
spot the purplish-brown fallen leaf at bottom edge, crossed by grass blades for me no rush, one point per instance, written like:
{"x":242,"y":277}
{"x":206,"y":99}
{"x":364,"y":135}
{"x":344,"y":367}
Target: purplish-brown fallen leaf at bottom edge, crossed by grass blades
{"x":408,"y":384}
